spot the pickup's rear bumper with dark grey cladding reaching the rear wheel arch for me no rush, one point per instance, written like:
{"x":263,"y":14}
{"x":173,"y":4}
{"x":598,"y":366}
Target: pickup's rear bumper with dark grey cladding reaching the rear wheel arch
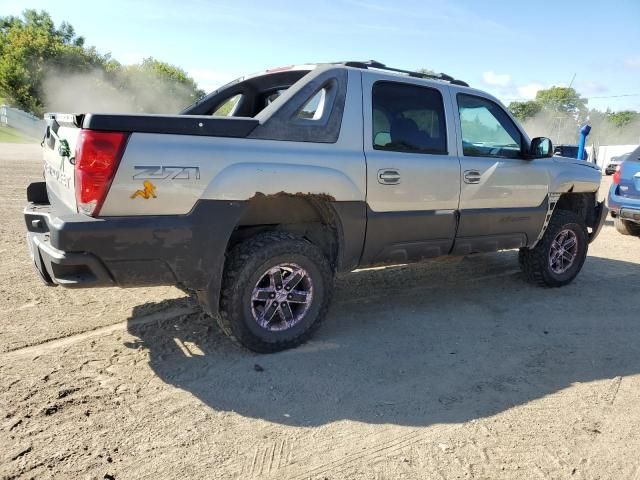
{"x":74,"y":250}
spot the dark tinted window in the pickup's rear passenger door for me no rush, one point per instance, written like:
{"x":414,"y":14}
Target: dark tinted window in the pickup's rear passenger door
{"x":408,"y":118}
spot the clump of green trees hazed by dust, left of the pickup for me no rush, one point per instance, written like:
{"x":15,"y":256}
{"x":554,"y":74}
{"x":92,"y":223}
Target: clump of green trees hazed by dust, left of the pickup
{"x":42,"y":64}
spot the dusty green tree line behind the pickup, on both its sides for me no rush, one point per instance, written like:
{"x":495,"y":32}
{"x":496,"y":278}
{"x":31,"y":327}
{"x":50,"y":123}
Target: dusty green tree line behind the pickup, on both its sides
{"x":44,"y":66}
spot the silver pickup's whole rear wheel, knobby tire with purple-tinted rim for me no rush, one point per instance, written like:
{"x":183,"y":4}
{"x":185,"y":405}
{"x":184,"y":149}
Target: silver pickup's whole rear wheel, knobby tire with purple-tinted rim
{"x":276,"y":291}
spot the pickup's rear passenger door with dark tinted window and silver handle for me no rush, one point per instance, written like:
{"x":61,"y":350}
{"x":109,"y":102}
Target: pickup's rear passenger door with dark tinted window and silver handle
{"x":413,"y":172}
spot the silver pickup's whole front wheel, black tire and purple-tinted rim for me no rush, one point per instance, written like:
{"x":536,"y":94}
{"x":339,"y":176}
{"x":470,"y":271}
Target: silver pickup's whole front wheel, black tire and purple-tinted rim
{"x":558,"y":257}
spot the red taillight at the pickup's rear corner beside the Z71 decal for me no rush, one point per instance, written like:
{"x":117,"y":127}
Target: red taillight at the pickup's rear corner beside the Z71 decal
{"x":97,"y":157}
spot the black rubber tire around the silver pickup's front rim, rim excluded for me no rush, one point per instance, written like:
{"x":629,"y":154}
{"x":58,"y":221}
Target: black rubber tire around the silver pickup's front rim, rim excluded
{"x":536,"y":262}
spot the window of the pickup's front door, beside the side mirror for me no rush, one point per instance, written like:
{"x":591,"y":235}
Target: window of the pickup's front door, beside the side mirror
{"x":487,"y":131}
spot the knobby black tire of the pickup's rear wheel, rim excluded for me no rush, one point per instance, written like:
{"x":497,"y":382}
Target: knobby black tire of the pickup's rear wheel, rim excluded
{"x":246,"y":264}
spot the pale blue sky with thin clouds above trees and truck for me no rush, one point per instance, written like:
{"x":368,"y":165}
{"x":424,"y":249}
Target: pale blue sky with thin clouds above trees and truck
{"x":509,"y":48}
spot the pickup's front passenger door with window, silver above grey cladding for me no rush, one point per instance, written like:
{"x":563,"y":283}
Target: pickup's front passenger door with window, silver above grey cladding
{"x":503,"y":197}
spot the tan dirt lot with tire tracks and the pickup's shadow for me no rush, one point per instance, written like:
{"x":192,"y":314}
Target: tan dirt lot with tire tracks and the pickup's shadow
{"x":452,"y":369}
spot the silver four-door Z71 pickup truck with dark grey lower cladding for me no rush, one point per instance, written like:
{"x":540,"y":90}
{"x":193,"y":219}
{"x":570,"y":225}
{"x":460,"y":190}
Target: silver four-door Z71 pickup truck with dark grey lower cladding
{"x":253,"y":198}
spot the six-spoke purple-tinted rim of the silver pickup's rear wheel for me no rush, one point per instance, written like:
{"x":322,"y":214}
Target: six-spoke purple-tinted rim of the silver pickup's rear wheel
{"x":281,"y":297}
